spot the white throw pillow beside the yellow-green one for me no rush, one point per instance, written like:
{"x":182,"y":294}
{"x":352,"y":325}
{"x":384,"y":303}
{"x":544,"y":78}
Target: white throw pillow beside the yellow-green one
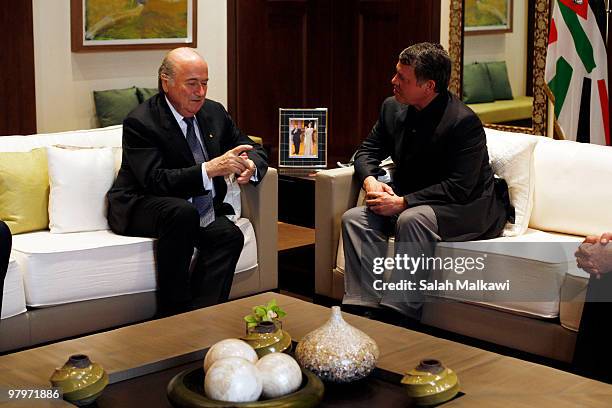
{"x":79,"y":180}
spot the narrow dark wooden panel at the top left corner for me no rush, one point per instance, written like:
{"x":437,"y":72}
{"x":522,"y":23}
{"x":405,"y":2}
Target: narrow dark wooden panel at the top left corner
{"x":17,"y":87}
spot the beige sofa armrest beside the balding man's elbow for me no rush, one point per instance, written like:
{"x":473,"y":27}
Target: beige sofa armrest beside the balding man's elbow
{"x":260,"y":206}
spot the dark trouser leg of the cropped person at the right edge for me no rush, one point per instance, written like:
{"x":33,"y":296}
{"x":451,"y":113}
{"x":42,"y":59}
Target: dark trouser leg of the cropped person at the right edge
{"x":593,"y":354}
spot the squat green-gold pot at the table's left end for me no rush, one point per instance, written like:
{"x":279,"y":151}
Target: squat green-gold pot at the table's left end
{"x":80,"y":380}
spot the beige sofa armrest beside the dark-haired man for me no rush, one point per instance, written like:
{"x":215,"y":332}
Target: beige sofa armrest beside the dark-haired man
{"x":336,"y":191}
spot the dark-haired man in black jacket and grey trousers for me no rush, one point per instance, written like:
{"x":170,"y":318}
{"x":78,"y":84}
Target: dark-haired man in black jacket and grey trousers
{"x":443,"y":187}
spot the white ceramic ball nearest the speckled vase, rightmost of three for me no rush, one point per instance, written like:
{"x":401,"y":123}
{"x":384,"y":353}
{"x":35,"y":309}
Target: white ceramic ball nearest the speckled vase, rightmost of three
{"x":280,"y":374}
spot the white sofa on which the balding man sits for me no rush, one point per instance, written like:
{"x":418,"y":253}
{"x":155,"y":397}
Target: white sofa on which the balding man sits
{"x":52,"y":269}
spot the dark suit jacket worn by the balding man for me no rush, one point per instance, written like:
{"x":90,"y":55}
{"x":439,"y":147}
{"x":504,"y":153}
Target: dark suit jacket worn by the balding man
{"x":157,"y":160}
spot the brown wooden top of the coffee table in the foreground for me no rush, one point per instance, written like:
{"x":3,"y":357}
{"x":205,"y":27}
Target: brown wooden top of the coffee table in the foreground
{"x":488,"y":379}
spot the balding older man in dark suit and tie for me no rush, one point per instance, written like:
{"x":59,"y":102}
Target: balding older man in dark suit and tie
{"x":177,"y":148}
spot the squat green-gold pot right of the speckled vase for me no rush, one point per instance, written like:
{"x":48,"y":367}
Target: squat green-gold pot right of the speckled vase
{"x":431,"y":383}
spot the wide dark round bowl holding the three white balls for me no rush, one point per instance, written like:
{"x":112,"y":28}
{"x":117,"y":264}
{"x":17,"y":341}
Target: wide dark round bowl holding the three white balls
{"x":186,"y":390}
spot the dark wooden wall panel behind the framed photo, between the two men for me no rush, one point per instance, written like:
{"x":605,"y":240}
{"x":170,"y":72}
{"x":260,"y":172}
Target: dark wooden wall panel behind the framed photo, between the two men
{"x":339,"y":54}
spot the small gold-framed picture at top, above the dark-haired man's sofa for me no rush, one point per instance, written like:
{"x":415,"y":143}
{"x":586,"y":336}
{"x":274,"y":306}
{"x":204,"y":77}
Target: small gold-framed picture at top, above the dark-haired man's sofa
{"x":488,"y":17}
